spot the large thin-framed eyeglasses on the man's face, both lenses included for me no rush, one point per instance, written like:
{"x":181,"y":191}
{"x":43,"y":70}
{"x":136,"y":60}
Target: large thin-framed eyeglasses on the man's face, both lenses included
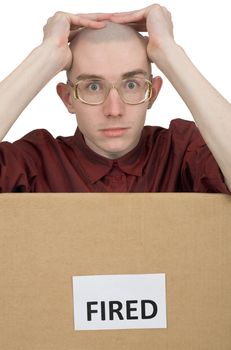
{"x":132,"y":91}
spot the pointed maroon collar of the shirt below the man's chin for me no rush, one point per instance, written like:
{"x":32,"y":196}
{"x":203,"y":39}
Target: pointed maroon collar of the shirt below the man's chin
{"x":96,"y":166}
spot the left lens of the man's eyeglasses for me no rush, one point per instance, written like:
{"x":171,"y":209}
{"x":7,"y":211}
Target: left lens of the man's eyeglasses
{"x":92,"y":91}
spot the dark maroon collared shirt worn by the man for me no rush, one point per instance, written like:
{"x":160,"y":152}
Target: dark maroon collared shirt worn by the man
{"x":165,"y":160}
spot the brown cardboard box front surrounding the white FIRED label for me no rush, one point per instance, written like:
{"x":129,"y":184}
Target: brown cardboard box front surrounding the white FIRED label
{"x":45,"y":239}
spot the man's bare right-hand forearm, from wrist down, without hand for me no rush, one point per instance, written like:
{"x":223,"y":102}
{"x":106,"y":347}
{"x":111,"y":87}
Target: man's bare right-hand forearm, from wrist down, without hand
{"x":210,"y":110}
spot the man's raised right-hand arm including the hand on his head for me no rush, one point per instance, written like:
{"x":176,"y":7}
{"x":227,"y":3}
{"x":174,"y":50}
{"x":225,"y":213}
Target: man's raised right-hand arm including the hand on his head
{"x":211,"y":112}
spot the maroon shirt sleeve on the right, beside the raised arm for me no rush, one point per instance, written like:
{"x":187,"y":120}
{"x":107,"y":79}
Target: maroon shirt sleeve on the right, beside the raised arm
{"x":200,"y":171}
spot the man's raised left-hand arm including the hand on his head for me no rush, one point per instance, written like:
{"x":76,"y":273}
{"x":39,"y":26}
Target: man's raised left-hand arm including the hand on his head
{"x":42,"y":64}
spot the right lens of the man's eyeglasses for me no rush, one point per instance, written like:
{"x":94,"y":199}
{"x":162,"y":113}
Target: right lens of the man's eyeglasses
{"x":135,"y":90}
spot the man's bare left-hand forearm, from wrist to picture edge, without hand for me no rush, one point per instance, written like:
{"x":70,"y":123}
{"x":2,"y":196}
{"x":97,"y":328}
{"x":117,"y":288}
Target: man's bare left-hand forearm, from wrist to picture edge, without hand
{"x":22,"y":85}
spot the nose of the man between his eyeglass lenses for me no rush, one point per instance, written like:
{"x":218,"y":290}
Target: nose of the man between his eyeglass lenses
{"x":113,"y":106}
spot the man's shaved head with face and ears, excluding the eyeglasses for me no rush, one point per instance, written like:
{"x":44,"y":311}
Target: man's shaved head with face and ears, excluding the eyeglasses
{"x":113,"y":127}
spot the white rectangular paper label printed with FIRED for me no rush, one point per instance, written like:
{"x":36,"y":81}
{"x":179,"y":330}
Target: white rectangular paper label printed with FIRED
{"x":119,"y":301}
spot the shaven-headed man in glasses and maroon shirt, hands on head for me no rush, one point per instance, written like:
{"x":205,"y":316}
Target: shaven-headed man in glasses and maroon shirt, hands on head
{"x":110,"y":88}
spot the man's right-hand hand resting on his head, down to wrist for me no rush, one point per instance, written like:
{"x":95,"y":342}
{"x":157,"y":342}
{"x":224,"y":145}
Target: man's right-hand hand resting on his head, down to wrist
{"x":154,"y":19}
